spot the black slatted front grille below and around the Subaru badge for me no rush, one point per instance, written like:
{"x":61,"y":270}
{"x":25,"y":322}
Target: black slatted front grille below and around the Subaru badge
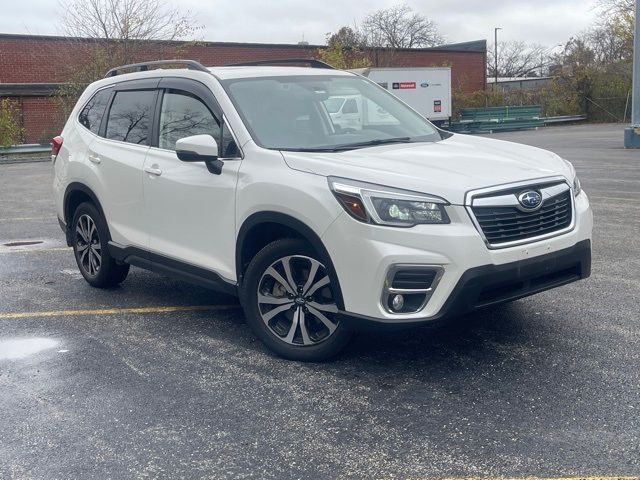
{"x":509,"y":224}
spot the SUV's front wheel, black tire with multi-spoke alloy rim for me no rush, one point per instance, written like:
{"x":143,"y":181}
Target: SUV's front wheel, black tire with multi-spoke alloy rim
{"x":293,"y":315}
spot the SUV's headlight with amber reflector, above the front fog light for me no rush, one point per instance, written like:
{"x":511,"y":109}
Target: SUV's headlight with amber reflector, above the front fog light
{"x":388,"y":206}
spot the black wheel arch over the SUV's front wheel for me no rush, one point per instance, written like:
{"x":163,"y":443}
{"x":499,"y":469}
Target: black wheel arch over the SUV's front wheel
{"x":262,"y":228}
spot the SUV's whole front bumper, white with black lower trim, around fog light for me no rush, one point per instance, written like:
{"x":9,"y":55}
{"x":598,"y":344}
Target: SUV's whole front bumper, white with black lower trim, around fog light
{"x":362,"y":254}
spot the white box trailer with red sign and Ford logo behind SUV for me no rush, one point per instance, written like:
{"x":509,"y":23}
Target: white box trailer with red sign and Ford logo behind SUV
{"x":427,"y":90}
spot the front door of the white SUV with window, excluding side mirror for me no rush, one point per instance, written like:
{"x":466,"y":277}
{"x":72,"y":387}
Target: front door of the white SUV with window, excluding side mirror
{"x":191,"y":212}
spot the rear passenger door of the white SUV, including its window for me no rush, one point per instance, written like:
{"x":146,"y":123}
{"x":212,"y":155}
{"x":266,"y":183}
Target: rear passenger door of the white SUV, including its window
{"x":118,"y":157}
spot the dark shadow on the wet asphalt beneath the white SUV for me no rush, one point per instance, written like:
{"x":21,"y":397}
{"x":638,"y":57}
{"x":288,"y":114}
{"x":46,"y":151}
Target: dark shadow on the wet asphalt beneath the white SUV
{"x":485,"y":338}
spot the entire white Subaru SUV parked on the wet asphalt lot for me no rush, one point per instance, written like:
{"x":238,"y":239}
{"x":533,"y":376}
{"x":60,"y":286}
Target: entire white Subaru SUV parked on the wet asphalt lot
{"x":237,"y":178}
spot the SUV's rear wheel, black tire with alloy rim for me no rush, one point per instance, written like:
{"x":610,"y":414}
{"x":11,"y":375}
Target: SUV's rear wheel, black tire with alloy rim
{"x":90,"y":238}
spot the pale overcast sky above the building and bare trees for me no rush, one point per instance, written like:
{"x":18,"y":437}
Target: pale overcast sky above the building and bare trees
{"x":548,"y":22}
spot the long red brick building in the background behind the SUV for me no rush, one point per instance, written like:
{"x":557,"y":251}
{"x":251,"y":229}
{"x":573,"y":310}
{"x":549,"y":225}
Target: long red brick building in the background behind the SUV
{"x":31,"y":68}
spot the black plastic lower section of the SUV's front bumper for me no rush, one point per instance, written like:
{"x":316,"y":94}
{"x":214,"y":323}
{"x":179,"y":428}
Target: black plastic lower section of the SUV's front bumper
{"x":494,"y":284}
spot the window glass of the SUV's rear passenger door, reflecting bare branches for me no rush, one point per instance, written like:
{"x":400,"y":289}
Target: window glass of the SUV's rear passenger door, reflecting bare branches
{"x":130,"y":116}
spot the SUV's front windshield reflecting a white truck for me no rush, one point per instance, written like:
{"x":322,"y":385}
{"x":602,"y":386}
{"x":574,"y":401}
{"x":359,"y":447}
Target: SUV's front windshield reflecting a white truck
{"x":324,"y":113}
